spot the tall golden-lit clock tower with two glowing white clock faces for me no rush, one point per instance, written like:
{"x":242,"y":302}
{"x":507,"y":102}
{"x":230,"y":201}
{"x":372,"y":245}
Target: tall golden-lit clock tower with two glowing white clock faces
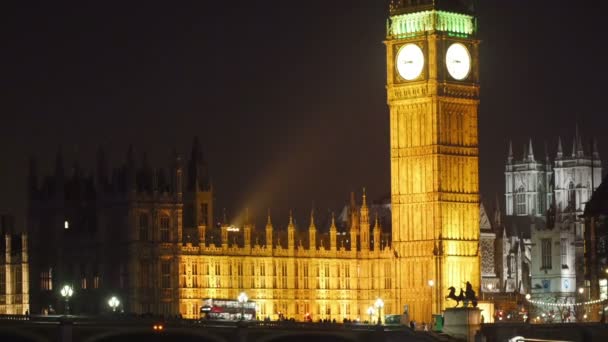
{"x":433,"y":95}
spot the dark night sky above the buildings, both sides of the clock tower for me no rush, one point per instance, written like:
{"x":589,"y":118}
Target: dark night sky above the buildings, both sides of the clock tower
{"x":288,"y":97}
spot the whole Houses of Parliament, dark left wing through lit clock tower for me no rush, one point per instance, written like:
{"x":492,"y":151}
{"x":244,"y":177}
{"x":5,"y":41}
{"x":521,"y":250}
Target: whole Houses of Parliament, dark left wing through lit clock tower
{"x":148,"y":235}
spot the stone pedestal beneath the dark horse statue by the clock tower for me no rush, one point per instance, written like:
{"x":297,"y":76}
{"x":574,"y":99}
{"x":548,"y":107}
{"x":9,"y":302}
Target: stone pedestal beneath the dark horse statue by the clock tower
{"x":462,"y":323}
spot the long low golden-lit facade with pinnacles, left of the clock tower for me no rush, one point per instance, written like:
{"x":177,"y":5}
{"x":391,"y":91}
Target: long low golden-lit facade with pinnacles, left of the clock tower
{"x":326,"y":276}
